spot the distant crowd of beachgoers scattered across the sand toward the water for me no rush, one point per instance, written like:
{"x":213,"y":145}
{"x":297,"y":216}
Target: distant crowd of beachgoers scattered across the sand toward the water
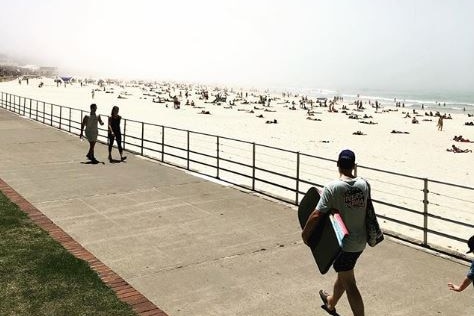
{"x":176,"y":95}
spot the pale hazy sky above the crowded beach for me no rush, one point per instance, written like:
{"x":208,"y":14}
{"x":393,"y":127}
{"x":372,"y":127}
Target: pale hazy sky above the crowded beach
{"x":333,"y":44}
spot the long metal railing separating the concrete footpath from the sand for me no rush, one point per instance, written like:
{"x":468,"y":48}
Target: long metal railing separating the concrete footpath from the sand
{"x":433,"y":214}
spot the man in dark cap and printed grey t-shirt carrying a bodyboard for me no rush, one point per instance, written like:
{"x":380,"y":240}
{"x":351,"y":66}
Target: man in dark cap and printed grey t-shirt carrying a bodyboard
{"x":349,"y":195}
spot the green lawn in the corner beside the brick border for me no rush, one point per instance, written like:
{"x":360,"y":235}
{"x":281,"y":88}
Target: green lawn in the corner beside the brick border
{"x":39,"y":277}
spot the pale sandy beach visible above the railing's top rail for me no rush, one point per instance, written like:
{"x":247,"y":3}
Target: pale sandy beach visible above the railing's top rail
{"x":419,"y":151}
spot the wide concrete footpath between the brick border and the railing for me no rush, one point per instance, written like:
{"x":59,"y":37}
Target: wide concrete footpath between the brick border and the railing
{"x":196,"y":247}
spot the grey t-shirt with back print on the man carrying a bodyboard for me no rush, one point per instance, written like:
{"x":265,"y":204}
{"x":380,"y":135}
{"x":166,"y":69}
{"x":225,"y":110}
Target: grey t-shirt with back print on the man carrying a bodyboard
{"x":349,"y":197}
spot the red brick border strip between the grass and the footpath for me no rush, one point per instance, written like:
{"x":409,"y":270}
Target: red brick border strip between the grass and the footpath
{"x":124,"y":291}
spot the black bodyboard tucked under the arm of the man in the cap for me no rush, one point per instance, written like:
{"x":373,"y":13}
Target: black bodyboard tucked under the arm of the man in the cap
{"x":326,"y":241}
